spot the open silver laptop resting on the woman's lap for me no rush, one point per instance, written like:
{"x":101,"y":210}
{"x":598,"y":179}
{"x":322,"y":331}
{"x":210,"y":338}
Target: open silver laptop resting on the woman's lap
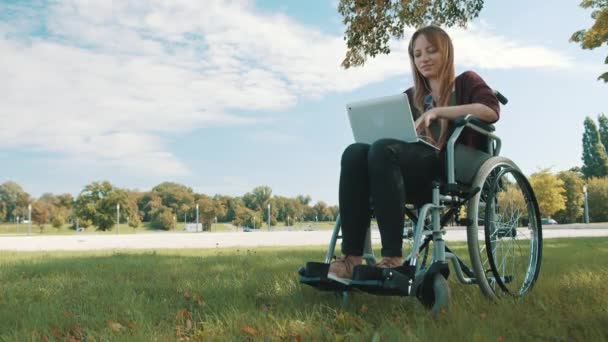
{"x":383,"y":117}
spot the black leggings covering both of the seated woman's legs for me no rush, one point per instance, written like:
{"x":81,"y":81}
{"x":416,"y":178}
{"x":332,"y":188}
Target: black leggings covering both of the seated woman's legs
{"x":389,"y":172}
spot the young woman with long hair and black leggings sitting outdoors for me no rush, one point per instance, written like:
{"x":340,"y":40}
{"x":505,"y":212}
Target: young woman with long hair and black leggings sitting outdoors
{"x":392,"y":172}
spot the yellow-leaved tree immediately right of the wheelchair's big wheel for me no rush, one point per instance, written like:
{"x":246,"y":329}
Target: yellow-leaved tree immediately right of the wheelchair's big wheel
{"x":549,"y":191}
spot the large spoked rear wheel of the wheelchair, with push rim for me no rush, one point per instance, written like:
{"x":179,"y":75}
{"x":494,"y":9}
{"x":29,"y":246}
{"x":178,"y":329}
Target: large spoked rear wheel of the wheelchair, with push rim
{"x":505,"y":233}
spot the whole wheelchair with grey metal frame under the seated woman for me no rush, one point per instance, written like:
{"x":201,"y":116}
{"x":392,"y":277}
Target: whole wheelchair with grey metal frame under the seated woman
{"x":503,"y":226}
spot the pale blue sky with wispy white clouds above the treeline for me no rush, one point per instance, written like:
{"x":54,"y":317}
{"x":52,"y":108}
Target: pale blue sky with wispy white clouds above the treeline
{"x":226,"y":95}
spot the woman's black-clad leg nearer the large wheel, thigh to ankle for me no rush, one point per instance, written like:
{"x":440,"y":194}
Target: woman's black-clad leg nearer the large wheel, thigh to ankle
{"x":397,"y":171}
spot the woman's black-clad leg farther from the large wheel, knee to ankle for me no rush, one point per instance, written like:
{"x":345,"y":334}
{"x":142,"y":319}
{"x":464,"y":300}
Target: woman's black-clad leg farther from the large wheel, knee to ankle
{"x":354,"y":198}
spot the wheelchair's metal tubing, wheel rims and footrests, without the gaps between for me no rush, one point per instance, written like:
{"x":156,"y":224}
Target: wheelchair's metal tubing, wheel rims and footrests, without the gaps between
{"x":429,"y":284}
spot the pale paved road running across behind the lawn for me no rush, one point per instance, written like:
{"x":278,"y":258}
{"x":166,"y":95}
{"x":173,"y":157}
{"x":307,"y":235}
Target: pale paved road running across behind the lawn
{"x":232,"y":239}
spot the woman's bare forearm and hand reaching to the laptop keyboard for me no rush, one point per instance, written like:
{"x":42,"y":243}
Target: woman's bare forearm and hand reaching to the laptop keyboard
{"x":479,"y":110}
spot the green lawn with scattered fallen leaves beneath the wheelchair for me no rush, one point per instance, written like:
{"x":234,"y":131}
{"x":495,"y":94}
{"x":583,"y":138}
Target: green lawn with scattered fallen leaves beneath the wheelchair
{"x":241,"y":294}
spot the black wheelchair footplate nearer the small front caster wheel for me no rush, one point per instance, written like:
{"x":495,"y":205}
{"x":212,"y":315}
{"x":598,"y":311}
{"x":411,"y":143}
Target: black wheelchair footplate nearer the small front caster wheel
{"x":383,"y":281}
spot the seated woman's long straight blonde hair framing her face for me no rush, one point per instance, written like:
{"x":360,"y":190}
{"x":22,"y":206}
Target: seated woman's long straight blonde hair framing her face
{"x":440,"y":39}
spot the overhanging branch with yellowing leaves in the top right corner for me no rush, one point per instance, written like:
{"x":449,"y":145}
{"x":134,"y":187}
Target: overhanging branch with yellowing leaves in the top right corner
{"x":598,"y":33}
